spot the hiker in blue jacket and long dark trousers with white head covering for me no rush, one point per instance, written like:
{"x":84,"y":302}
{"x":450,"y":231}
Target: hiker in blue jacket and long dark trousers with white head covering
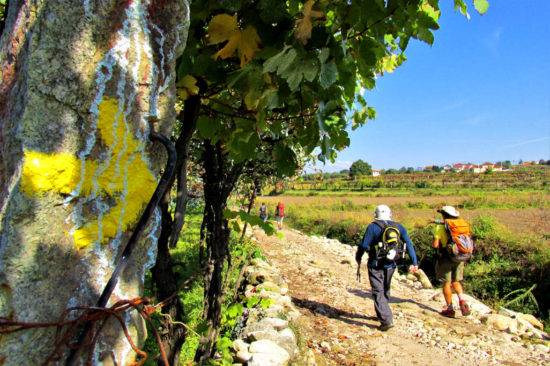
{"x":386,"y":242}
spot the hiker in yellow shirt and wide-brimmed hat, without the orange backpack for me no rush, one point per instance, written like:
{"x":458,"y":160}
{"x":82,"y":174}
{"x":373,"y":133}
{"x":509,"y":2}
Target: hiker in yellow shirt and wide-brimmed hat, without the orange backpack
{"x":450,"y":272}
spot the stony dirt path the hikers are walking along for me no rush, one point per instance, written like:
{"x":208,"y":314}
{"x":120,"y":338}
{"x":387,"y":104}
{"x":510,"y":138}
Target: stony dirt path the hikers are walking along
{"x":339,"y":323}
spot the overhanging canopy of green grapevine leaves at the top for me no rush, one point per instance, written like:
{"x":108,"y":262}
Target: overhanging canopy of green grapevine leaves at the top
{"x":276,"y":101}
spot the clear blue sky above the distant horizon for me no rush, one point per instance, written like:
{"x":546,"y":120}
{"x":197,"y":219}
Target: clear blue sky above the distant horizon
{"x":480,"y":93}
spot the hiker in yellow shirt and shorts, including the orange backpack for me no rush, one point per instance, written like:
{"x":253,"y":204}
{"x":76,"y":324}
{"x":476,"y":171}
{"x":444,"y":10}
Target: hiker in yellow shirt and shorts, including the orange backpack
{"x":454,"y":244}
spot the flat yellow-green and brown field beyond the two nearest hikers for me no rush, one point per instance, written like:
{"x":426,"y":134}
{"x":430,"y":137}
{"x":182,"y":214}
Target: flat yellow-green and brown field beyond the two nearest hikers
{"x":519,"y":212}
